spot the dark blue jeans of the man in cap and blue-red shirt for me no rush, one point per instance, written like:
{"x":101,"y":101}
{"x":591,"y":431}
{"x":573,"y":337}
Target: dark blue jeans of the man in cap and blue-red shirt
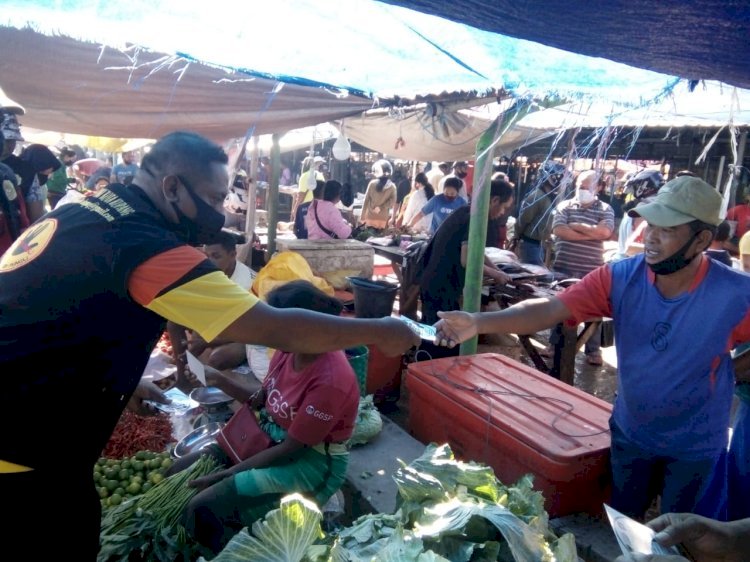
{"x":685,"y":486}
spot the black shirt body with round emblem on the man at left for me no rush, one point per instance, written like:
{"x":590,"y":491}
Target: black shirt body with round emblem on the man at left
{"x":73,"y":342}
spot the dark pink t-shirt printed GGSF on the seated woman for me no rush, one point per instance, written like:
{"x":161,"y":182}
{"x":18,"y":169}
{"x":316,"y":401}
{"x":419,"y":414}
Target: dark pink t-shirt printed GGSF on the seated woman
{"x":316,"y":405}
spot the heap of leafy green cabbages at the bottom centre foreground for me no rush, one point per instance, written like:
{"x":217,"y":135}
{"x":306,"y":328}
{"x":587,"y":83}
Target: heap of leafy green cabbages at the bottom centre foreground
{"x":448,"y":511}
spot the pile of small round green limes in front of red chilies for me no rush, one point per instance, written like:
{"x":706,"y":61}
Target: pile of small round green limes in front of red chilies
{"x":120,"y":479}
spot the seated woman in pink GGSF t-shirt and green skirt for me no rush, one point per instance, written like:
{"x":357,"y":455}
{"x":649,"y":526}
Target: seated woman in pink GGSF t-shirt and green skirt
{"x":314,"y":398}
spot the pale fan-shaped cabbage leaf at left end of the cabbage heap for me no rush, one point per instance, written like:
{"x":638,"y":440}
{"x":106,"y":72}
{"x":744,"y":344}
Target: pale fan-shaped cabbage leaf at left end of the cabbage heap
{"x":283,"y":536}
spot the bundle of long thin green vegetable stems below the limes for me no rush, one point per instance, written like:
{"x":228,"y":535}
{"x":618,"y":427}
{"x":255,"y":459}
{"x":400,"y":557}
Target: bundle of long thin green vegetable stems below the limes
{"x":148,"y":527}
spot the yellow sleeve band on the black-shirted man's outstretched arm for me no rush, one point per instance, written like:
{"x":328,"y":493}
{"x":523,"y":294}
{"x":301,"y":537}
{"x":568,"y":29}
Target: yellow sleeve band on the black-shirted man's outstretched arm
{"x":207,"y":304}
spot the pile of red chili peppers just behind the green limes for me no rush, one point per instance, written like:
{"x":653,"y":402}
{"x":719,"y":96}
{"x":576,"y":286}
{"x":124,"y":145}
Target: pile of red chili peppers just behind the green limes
{"x":135,"y":433}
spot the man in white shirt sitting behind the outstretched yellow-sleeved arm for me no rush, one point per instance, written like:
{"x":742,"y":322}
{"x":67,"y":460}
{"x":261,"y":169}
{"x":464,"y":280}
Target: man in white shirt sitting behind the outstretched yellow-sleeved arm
{"x":218,"y":354}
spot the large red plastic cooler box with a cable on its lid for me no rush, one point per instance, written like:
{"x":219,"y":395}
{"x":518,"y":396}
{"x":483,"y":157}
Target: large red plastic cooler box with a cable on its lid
{"x":492,"y":409}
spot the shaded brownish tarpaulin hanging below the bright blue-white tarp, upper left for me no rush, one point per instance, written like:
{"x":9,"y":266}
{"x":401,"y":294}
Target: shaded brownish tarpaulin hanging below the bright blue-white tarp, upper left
{"x":76,"y":87}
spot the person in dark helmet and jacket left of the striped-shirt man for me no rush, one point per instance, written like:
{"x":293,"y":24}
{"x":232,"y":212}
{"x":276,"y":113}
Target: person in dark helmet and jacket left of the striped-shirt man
{"x":534,"y":225}
